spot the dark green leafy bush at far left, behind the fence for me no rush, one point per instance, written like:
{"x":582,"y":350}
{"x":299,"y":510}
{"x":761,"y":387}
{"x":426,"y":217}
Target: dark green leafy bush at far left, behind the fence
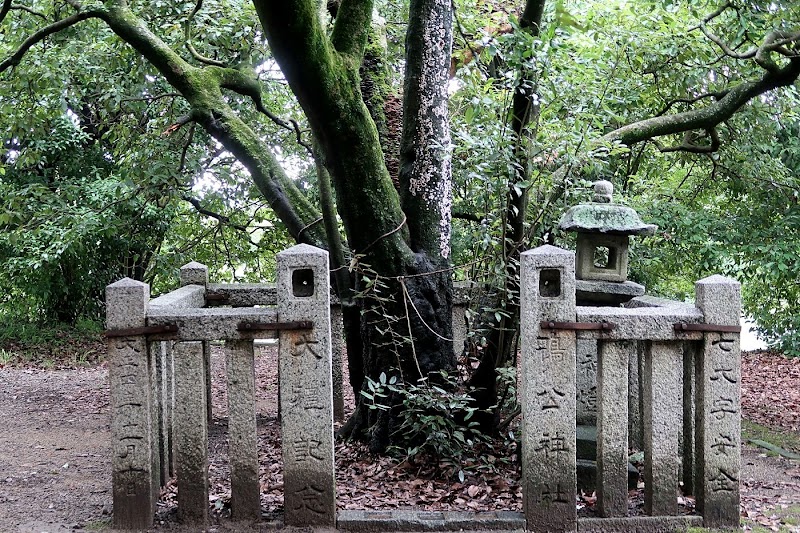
{"x":70,"y":228}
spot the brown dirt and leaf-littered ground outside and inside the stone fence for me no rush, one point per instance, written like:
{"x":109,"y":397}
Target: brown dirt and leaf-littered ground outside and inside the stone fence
{"x":55,"y":467}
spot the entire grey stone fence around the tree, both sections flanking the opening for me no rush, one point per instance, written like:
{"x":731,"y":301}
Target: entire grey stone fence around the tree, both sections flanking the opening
{"x":159,"y":373}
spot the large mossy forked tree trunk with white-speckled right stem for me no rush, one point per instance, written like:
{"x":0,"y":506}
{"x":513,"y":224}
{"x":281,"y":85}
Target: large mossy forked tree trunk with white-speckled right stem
{"x":402,"y":250}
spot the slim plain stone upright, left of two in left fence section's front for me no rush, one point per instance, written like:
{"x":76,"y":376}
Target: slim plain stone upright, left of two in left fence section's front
{"x":191,"y":432}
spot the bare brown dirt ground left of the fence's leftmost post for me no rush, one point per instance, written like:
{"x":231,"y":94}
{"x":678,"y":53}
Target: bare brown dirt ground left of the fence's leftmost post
{"x":55,"y":469}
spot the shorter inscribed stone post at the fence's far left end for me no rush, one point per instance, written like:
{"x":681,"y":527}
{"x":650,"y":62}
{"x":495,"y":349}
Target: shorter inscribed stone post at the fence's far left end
{"x":132,"y":424}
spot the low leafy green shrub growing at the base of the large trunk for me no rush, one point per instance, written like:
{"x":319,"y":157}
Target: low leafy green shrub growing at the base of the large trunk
{"x":435,"y":419}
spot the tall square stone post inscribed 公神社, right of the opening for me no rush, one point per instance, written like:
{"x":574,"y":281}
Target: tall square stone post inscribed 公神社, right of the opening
{"x":548,"y":390}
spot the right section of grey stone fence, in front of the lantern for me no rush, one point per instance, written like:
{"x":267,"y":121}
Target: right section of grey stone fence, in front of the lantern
{"x":691,"y":364}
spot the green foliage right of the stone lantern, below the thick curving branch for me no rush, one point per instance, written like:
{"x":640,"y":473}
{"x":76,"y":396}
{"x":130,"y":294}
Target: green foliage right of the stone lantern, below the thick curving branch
{"x":736,"y":214}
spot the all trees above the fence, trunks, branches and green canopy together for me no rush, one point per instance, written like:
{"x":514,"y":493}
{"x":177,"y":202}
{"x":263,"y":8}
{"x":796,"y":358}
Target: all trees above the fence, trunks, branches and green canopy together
{"x":416,"y":141}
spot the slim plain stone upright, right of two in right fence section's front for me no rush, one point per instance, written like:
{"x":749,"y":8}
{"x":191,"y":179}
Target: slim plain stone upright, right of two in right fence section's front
{"x":663,"y":369}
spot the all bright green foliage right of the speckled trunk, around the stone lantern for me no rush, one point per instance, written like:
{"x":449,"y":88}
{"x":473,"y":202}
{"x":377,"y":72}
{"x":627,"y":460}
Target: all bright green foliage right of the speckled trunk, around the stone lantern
{"x":598,"y":66}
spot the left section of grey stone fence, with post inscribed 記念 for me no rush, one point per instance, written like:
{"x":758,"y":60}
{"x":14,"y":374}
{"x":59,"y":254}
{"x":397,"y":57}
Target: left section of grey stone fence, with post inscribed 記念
{"x":158,"y":368}
